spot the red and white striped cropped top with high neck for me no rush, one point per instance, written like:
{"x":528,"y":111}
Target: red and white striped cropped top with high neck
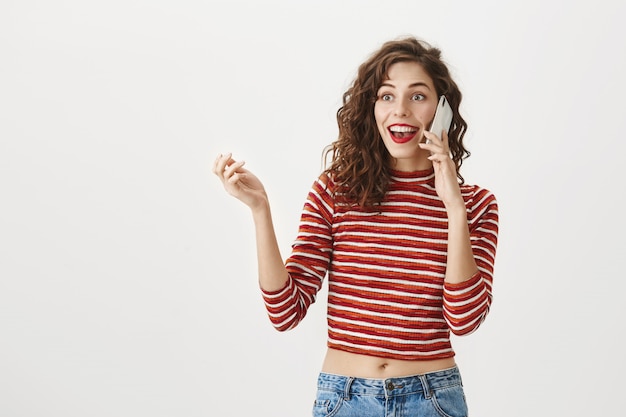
{"x":386,"y":267}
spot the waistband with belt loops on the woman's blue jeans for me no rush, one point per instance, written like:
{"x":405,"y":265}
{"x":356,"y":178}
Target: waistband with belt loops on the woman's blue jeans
{"x":390,"y":386}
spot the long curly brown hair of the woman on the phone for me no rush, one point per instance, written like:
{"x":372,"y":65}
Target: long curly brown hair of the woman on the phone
{"x":360,"y":164}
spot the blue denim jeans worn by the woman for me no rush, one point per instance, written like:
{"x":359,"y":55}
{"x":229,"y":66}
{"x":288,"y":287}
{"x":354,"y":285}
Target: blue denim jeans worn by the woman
{"x":435,"y":394}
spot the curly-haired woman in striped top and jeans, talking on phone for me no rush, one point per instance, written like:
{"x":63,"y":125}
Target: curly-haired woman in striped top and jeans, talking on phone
{"x":408,"y":248}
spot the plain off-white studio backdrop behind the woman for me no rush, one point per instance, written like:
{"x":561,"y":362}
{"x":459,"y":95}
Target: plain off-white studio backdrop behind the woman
{"x":128,"y":276}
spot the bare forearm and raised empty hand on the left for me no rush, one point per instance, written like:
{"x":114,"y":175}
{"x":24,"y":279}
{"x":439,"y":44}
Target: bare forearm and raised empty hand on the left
{"x":246,"y":187}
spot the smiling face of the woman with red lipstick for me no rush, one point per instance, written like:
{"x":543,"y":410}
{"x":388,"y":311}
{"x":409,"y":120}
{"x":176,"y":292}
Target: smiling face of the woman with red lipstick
{"x":405,"y":107}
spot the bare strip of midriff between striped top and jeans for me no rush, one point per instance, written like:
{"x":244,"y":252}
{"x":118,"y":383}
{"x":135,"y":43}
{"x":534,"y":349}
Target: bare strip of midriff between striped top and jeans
{"x":363,"y":366}
